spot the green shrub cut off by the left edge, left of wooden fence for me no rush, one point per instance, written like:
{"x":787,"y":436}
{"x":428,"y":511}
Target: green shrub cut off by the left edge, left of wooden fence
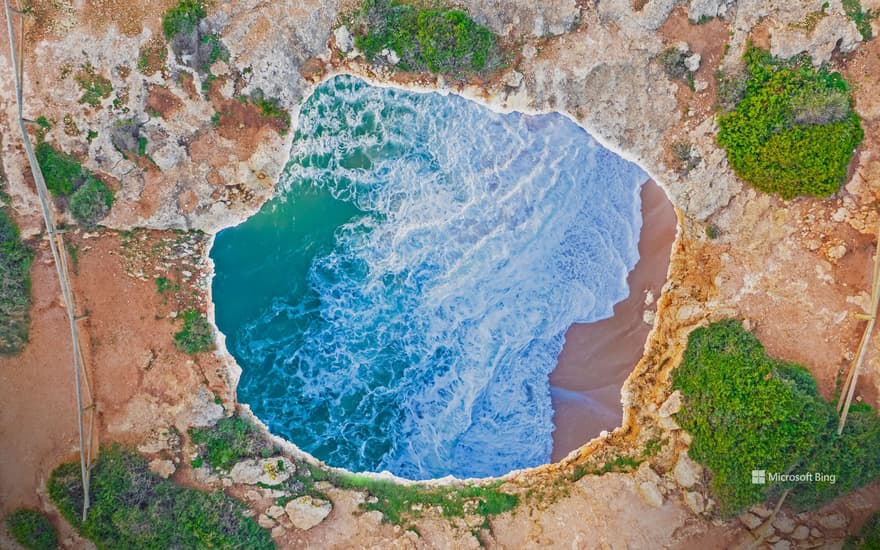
{"x":15,"y":287}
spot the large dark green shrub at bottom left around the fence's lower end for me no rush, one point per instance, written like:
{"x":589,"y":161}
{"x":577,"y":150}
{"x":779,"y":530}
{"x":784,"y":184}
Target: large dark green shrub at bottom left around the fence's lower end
{"x":133,"y":508}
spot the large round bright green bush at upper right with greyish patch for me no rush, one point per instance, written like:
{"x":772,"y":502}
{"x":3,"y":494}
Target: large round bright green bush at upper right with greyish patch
{"x":793,"y":132}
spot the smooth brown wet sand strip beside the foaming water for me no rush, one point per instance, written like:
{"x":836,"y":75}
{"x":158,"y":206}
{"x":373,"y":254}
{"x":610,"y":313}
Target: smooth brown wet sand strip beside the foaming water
{"x":597,"y":357}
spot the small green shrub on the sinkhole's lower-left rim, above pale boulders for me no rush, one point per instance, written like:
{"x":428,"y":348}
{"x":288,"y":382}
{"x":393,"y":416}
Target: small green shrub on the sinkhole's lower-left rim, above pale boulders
{"x":229,"y":441}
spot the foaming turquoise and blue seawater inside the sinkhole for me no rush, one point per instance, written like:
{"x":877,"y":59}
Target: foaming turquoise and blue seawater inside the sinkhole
{"x":401,"y":302}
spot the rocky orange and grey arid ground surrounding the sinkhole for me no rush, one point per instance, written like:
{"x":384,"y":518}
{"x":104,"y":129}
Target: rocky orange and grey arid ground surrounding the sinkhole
{"x":798,"y":273}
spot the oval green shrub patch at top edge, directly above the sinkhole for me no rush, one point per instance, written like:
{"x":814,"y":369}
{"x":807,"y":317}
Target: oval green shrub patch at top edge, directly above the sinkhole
{"x":425,"y":38}
